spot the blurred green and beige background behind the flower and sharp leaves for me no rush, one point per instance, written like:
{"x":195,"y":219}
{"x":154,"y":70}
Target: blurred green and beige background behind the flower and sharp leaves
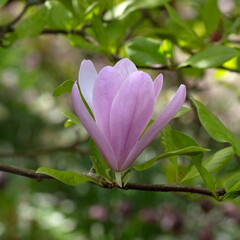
{"x":32,"y":66}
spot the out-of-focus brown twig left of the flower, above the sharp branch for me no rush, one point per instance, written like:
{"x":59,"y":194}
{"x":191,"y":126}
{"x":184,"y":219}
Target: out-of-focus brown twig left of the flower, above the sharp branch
{"x":28,"y":154}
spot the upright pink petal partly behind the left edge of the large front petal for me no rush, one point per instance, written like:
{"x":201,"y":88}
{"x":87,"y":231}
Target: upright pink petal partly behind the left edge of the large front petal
{"x":107,"y":85}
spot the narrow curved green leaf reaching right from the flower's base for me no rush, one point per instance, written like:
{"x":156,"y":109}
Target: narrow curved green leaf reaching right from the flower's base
{"x":188,"y":151}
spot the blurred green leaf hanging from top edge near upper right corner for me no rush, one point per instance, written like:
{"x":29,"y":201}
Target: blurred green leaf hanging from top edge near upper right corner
{"x":210,"y":15}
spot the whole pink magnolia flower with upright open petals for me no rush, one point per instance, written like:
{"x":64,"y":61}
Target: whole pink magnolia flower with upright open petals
{"x":121,"y":99}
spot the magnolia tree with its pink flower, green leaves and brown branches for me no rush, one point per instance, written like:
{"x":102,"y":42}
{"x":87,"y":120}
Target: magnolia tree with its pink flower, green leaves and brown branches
{"x":116,"y":104}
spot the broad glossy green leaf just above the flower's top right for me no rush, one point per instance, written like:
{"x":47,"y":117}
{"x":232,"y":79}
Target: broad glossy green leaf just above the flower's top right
{"x":145,"y":52}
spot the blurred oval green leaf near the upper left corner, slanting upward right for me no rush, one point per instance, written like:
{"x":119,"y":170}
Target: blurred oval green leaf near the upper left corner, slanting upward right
{"x":32,"y":25}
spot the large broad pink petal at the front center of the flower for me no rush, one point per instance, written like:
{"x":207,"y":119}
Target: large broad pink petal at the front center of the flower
{"x":131,"y":111}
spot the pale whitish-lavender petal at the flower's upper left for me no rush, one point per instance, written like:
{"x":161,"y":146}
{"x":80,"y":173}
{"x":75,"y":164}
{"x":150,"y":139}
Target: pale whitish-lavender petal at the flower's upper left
{"x":86,"y":79}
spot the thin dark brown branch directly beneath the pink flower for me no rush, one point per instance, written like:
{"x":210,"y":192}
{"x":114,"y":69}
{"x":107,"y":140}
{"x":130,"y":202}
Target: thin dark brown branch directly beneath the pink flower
{"x":129,"y":186}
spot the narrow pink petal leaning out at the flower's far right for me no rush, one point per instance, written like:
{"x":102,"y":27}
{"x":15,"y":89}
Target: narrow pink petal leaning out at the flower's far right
{"x":162,"y":120}
